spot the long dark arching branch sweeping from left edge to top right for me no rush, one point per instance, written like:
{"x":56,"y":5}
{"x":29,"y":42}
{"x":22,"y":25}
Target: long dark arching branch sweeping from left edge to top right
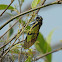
{"x":56,"y":2}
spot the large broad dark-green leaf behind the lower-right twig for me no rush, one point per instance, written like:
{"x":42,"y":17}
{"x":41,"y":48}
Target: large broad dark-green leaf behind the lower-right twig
{"x":43,"y":47}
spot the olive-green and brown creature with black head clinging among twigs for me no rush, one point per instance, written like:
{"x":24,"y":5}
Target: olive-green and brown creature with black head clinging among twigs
{"x":33,"y":32}
